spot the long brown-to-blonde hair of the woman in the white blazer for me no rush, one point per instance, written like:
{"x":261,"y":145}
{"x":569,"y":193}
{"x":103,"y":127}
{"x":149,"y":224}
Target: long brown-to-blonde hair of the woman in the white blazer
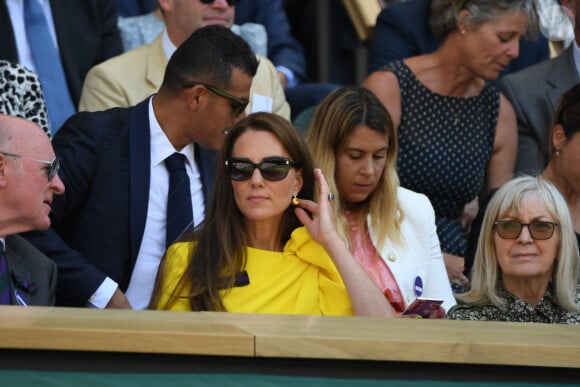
{"x":338,"y":115}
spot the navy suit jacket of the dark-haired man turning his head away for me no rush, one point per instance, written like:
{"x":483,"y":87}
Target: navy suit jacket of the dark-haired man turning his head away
{"x":98,"y":223}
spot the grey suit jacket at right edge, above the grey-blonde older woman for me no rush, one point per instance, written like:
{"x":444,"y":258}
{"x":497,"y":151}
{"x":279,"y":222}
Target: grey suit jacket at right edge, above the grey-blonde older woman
{"x":534,"y":94}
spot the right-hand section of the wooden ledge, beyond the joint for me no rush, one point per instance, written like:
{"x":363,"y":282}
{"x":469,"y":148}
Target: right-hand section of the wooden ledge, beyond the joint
{"x":411,"y":340}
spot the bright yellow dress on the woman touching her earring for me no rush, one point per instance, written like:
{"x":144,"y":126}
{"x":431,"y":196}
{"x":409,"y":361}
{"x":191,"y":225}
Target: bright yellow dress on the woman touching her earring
{"x":302,"y":279}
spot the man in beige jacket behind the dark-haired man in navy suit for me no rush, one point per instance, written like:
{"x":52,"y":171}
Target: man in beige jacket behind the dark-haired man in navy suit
{"x":127,"y":79}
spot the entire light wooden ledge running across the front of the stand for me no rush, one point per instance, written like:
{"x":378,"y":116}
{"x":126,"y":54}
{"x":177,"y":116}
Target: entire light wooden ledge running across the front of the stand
{"x":283,"y":336}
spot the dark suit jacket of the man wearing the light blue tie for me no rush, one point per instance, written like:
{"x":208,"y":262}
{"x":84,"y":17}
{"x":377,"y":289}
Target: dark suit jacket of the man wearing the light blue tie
{"x":87,"y":34}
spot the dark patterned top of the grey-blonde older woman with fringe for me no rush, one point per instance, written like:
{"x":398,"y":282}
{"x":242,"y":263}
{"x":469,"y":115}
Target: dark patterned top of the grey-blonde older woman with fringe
{"x":547,"y":311}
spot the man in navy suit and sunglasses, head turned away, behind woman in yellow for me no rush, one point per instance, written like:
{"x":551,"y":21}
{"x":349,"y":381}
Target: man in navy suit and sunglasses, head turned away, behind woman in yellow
{"x":109,"y":229}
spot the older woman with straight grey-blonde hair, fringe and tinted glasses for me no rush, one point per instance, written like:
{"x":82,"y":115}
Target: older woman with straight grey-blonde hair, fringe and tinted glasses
{"x":526,"y":264}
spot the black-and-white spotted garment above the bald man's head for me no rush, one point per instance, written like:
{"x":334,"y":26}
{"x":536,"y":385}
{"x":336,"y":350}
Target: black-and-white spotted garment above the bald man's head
{"x":21,"y":94}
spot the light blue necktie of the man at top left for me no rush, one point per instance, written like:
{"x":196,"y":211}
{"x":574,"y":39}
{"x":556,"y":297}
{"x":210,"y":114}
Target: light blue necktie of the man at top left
{"x":48,"y":65}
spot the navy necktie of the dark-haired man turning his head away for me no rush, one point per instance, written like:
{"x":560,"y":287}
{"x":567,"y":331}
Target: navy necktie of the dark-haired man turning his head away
{"x":179,"y":208}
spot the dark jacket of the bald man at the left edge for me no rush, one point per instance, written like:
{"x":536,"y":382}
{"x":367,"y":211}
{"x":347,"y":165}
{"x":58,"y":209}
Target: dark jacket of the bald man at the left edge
{"x":29,"y":269}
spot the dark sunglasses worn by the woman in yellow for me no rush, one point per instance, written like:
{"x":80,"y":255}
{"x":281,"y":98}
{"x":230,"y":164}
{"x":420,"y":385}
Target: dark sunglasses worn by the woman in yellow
{"x":271,"y":168}
